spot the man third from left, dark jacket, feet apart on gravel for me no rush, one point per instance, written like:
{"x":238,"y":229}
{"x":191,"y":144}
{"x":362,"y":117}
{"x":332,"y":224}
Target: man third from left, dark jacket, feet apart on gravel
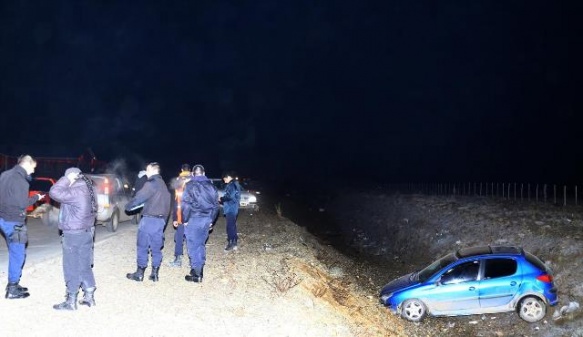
{"x":155,"y":198}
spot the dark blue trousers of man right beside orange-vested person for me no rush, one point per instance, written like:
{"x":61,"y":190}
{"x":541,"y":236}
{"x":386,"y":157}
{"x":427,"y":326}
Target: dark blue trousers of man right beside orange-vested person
{"x":197,"y":232}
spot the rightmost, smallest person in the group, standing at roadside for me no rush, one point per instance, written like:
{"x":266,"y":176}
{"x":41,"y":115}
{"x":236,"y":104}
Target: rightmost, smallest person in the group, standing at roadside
{"x":230,"y":201}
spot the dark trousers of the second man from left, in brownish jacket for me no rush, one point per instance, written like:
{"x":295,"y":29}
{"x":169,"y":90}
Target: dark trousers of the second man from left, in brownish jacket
{"x":78,"y":260}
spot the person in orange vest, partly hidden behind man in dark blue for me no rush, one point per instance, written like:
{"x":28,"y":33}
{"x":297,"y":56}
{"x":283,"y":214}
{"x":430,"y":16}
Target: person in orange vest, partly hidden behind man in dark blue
{"x":177,"y":185}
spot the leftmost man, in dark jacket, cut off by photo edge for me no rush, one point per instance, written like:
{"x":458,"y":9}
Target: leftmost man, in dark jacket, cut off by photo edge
{"x":14,"y":200}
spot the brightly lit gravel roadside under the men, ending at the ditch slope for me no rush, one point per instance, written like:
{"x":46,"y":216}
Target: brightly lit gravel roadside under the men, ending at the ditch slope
{"x":273,"y":285}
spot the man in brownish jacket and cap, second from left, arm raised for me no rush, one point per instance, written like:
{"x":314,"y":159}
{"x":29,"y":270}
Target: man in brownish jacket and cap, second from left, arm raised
{"x":77,"y":222}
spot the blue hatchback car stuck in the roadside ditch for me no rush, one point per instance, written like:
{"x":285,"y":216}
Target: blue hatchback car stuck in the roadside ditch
{"x":477,"y":280}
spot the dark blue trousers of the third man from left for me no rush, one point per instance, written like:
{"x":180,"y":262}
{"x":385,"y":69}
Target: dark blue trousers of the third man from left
{"x":150,"y":237}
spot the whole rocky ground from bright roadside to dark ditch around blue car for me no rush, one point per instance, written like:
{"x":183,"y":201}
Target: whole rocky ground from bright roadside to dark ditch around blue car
{"x":285,"y":281}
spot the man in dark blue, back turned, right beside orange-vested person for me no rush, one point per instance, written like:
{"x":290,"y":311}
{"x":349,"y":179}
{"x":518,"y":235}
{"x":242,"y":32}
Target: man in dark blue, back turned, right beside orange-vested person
{"x":200,"y":206}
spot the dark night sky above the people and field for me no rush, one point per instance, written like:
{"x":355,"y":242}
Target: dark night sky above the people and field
{"x":299,"y":90}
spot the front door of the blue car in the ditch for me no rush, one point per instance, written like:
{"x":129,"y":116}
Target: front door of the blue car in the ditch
{"x":457,"y":290}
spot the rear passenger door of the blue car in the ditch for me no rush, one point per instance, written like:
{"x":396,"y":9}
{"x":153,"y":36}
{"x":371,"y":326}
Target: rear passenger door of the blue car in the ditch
{"x":500,"y":283}
